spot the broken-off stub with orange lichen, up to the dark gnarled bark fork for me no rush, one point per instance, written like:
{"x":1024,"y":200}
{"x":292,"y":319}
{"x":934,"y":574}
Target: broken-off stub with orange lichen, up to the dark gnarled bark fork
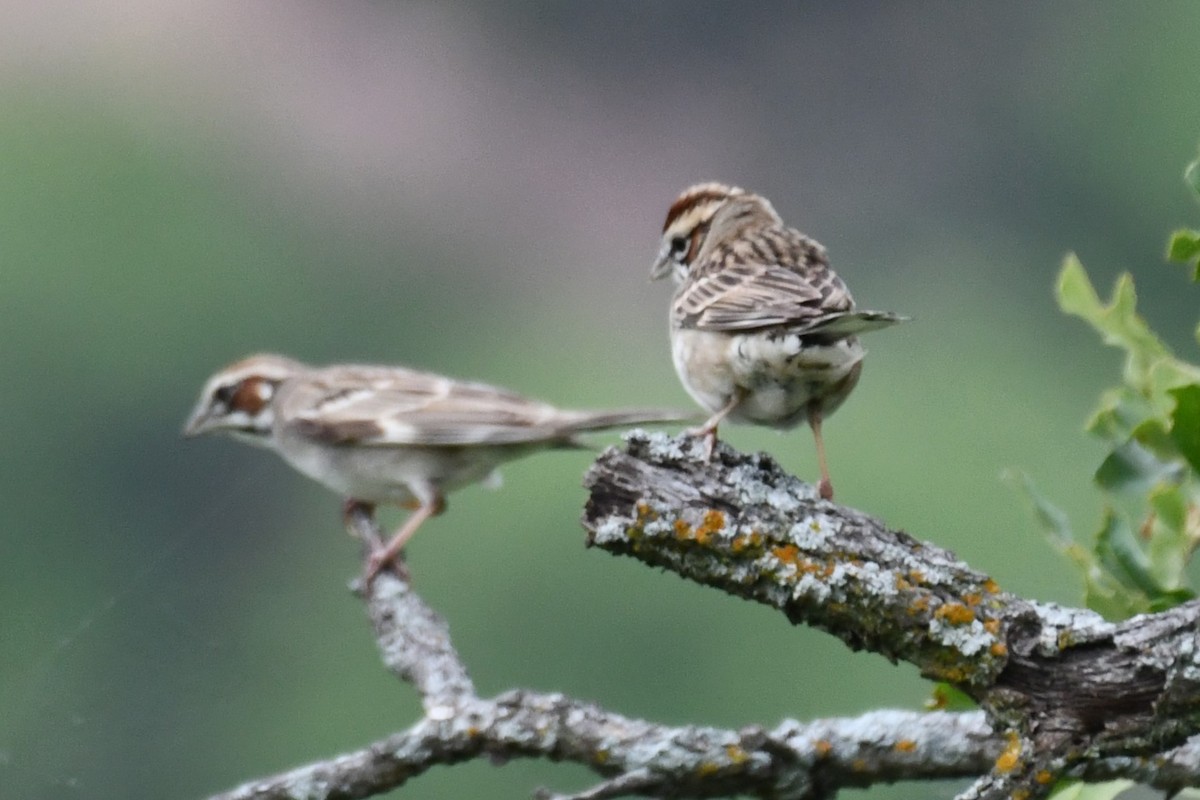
{"x":740,"y":524}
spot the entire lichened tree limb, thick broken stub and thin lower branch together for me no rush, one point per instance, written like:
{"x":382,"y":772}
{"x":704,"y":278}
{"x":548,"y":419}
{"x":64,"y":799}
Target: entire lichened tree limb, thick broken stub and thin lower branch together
{"x":1070,"y":695}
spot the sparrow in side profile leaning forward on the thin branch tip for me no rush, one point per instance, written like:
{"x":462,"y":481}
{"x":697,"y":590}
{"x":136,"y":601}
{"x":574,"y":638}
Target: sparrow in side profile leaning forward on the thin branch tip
{"x":388,"y":435}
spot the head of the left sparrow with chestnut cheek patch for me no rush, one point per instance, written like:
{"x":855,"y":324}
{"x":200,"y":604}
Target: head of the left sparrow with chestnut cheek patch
{"x":238,"y":400}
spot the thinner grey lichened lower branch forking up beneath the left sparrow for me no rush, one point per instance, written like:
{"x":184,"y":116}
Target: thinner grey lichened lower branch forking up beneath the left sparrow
{"x":633,"y":756}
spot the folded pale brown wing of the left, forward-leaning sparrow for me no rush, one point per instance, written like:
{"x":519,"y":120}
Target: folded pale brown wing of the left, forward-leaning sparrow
{"x":380,"y":407}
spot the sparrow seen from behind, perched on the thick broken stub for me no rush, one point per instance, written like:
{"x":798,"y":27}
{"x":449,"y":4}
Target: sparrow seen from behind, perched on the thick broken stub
{"x":761,"y":328}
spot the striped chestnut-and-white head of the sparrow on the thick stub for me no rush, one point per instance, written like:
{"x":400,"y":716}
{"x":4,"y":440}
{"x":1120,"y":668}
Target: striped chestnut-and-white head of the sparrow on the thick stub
{"x":706,"y":213}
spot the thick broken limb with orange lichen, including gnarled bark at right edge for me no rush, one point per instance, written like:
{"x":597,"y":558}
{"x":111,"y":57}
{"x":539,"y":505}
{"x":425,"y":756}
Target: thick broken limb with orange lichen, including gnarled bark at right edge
{"x":1072,"y":689}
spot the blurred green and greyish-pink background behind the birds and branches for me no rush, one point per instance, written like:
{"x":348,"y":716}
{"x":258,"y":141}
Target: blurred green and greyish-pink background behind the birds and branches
{"x":478,"y":190}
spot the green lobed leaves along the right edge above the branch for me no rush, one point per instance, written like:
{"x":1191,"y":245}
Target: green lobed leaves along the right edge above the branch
{"x":1151,"y":478}
